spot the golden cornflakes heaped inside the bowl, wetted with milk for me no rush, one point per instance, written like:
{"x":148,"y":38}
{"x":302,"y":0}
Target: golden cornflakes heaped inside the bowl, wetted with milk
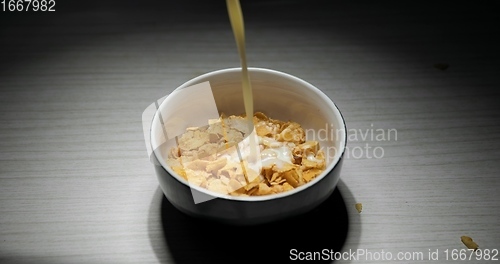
{"x":216,"y":157}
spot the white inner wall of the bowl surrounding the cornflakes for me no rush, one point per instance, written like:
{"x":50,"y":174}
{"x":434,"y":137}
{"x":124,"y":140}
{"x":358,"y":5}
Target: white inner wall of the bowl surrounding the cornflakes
{"x":276,"y":94}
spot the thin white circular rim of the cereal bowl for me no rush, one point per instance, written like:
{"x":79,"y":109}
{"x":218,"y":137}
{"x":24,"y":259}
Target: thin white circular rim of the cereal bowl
{"x":217,"y":195}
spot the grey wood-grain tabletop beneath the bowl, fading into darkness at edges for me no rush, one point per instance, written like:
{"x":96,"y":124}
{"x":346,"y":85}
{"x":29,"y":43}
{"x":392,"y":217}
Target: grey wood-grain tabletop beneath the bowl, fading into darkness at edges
{"x":76,"y":185}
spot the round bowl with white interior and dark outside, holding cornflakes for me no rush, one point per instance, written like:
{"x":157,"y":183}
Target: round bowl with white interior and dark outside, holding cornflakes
{"x":280,"y":96}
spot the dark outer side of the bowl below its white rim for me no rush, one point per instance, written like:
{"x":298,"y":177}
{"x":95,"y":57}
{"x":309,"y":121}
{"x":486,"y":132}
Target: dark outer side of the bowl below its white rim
{"x":238,"y":212}
